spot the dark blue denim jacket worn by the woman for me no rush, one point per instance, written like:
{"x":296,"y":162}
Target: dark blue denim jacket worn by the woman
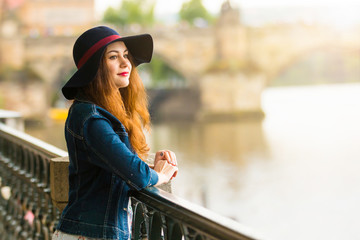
{"x":103,"y":168}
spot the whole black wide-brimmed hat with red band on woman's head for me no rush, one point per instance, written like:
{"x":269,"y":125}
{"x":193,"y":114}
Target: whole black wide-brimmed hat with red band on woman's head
{"x":88,"y":51}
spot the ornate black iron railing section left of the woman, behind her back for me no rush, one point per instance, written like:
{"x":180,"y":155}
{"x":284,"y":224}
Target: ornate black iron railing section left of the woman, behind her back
{"x":26,"y":209}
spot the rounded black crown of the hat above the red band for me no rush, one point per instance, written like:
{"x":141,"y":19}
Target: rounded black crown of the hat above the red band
{"x":88,"y":39}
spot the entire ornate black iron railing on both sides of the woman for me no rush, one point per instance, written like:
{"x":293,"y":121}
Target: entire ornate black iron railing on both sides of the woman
{"x":27,"y":210}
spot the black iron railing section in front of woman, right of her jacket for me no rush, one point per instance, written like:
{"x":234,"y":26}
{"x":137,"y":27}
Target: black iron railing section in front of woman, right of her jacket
{"x":161,"y":215}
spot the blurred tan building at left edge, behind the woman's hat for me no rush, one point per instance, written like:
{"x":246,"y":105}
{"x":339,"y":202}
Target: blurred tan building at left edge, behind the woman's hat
{"x":36,"y":39}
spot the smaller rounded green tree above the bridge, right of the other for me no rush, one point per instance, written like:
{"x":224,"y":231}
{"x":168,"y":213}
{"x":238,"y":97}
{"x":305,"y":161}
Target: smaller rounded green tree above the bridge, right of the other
{"x":195,"y":13}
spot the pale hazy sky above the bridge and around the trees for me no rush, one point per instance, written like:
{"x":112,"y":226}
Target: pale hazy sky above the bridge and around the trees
{"x":342,"y":13}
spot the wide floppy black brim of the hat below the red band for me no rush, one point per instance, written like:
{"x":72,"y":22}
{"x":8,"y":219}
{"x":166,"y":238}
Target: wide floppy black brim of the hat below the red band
{"x":139,"y":46}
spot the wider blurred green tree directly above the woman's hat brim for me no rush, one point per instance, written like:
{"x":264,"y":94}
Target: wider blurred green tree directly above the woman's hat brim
{"x":131,"y":12}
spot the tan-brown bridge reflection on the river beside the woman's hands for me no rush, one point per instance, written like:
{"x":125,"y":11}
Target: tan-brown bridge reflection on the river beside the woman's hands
{"x":204,"y":143}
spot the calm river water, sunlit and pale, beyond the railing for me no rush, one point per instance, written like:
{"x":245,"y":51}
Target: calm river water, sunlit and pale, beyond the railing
{"x":293,"y":175}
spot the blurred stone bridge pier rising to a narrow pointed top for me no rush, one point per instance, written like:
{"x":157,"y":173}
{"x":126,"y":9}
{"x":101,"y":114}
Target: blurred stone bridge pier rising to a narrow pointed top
{"x":232,"y":87}
